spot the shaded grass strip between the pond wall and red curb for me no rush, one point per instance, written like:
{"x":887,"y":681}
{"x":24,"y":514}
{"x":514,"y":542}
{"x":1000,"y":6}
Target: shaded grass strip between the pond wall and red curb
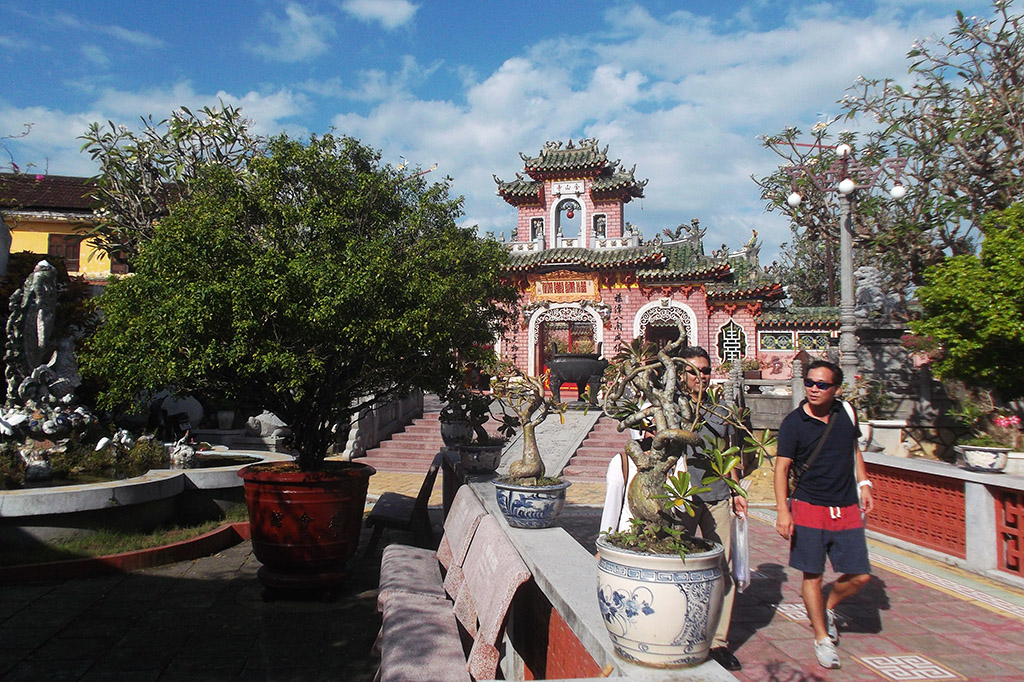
{"x":114,"y":542}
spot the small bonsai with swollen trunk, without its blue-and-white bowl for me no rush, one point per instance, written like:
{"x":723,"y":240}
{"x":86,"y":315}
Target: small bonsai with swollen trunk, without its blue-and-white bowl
{"x":529,"y":402}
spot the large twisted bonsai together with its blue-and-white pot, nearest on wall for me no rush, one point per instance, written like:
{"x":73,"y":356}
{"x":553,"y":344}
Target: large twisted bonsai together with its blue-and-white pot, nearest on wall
{"x":667,"y":621}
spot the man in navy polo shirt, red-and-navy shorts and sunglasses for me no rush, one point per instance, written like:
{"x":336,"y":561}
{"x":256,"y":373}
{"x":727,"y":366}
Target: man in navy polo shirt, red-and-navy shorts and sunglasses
{"x":824,"y":519}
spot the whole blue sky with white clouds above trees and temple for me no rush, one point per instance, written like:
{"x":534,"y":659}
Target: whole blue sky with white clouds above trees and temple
{"x":682,"y":90}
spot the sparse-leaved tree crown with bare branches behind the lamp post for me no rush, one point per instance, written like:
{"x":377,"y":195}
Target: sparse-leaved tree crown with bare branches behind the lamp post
{"x":959,"y":124}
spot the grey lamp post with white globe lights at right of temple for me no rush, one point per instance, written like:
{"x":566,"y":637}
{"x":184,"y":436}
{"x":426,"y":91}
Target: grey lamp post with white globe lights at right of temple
{"x":844,"y":177}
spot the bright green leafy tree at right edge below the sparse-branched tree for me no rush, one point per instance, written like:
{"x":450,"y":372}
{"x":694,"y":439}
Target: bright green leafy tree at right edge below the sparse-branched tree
{"x":974,"y":308}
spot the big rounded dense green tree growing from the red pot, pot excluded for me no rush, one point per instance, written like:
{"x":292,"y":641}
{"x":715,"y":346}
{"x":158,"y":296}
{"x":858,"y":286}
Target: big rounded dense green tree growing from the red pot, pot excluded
{"x":313,"y":283}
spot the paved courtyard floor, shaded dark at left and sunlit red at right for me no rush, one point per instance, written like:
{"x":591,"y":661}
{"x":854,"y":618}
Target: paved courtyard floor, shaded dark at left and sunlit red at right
{"x":205,"y":620}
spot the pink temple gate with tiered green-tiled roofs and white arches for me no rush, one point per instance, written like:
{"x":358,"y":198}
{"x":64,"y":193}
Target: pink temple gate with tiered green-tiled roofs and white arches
{"x":588,"y":279}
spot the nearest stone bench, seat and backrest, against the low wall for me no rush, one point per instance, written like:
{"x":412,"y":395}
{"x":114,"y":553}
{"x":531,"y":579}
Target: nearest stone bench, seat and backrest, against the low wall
{"x":422,"y":633}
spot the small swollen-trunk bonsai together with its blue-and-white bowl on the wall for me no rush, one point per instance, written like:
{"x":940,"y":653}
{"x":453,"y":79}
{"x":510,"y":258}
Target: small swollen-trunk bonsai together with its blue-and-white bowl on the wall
{"x":529,"y":498}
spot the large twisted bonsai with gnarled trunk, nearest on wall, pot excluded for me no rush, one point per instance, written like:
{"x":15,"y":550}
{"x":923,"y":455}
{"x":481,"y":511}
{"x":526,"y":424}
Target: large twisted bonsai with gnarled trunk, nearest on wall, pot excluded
{"x":648,"y":392}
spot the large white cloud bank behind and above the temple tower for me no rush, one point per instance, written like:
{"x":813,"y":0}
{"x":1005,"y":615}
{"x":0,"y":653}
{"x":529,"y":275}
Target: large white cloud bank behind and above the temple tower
{"x":684,"y":99}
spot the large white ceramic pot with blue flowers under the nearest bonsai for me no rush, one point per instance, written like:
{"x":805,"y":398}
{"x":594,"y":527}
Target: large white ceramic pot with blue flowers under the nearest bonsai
{"x":661,"y":612}
